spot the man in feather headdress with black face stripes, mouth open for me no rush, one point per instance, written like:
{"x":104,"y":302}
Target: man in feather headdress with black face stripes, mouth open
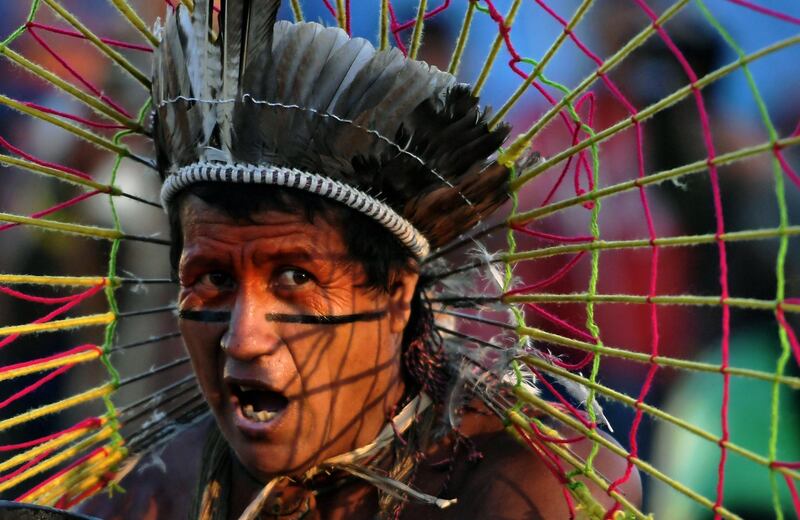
{"x":307,"y":176}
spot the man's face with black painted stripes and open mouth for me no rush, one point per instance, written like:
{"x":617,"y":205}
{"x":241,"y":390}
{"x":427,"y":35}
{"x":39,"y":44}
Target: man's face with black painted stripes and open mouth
{"x":296,"y":358}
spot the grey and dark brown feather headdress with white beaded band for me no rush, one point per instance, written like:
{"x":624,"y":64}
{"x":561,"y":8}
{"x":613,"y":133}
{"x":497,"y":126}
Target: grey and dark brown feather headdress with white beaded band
{"x":305,"y":106}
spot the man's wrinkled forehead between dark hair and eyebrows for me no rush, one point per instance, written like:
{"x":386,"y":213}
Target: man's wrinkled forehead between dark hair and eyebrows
{"x":202,"y":222}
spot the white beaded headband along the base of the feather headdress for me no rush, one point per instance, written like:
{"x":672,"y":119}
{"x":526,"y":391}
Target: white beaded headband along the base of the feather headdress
{"x":302,"y":180}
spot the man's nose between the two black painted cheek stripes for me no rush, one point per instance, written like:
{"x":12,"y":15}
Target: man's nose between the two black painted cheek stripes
{"x":249,"y":334}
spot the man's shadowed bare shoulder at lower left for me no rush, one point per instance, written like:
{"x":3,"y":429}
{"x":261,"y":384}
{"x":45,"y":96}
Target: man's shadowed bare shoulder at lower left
{"x":162,"y":484}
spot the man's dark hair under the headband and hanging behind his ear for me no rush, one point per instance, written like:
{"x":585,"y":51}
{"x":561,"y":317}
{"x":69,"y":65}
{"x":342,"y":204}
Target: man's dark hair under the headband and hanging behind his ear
{"x":368,"y":243}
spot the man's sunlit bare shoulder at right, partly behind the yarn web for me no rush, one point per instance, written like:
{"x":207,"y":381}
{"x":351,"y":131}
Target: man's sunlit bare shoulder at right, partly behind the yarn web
{"x":510,"y":482}
